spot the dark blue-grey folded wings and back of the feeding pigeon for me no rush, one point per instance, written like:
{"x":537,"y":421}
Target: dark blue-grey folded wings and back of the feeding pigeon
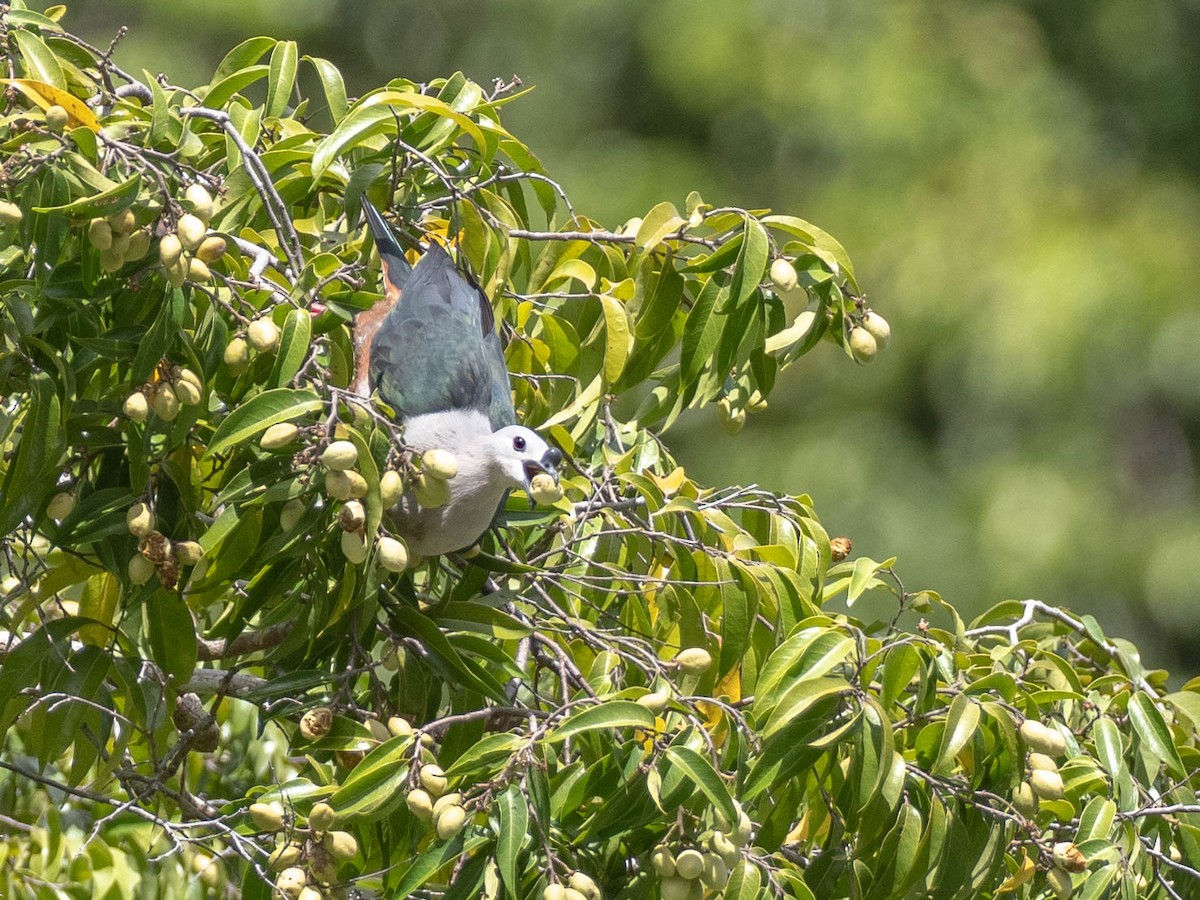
{"x":439,"y":350}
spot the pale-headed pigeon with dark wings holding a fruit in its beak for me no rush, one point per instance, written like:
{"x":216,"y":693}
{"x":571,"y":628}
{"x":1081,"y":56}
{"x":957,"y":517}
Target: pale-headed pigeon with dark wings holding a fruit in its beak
{"x":431,"y":351}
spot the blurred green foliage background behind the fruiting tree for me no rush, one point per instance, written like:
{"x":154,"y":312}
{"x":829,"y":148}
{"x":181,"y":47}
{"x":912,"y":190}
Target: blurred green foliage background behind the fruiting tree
{"x":1018,"y":183}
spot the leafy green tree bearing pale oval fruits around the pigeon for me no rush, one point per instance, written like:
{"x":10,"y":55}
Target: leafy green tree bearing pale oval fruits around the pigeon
{"x":212,"y":665}
